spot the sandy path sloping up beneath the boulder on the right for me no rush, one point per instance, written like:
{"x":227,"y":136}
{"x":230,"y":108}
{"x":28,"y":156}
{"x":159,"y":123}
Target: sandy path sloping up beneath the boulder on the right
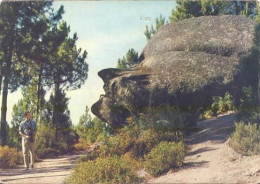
{"x":211,"y":160}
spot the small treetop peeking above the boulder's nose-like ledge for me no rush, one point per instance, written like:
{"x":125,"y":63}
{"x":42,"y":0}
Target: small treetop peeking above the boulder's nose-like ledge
{"x":130,"y":59}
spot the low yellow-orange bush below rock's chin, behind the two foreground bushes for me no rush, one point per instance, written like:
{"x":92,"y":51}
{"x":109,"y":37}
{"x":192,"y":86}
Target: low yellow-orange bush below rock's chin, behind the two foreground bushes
{"x":136,"y":141}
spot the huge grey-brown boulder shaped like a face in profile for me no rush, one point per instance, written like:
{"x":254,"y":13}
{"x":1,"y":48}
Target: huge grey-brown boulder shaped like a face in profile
{"x":184,"y":64}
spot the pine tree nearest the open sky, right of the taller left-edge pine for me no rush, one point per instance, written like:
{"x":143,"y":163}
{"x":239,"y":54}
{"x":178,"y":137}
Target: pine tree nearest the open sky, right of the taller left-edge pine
{"x":67,"y":69}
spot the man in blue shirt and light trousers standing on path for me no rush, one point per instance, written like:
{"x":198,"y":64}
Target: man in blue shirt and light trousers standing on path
{"x":27,"y":130}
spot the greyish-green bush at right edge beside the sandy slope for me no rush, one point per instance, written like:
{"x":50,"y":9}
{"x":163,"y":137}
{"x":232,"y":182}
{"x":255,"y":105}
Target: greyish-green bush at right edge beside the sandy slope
{"x":246,"y":139}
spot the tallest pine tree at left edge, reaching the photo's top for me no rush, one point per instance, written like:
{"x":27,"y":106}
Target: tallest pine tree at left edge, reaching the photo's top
{"x":20,"y":24}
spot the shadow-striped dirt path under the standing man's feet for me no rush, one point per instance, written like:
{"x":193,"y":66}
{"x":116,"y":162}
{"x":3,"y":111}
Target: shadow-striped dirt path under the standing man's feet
{"x":49,"y":171}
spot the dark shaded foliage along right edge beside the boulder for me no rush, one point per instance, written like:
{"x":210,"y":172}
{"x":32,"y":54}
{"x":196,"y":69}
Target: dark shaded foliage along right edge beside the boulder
{"x":248,"y":106}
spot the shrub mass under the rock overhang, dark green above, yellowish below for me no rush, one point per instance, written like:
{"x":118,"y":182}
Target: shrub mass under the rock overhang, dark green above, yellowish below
{"x":145,"y":132}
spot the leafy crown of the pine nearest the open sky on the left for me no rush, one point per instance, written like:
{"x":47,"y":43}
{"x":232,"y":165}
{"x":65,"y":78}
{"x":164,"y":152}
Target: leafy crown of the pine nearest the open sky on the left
{"x":67,"y":67}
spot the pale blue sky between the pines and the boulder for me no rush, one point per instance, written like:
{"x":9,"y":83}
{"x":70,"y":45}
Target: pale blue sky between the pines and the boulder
{"x":107,"y":30}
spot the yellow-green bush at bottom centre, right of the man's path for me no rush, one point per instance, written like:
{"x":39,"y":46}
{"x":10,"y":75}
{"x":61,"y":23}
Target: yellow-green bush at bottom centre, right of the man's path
{"x":104,"y":170}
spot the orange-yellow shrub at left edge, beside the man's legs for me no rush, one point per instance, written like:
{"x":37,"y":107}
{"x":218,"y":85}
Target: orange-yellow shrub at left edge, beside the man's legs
{"x":10,"y":157}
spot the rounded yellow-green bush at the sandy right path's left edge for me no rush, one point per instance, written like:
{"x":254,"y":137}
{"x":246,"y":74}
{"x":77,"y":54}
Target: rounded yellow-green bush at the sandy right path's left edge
{"x":164,"y":156}
